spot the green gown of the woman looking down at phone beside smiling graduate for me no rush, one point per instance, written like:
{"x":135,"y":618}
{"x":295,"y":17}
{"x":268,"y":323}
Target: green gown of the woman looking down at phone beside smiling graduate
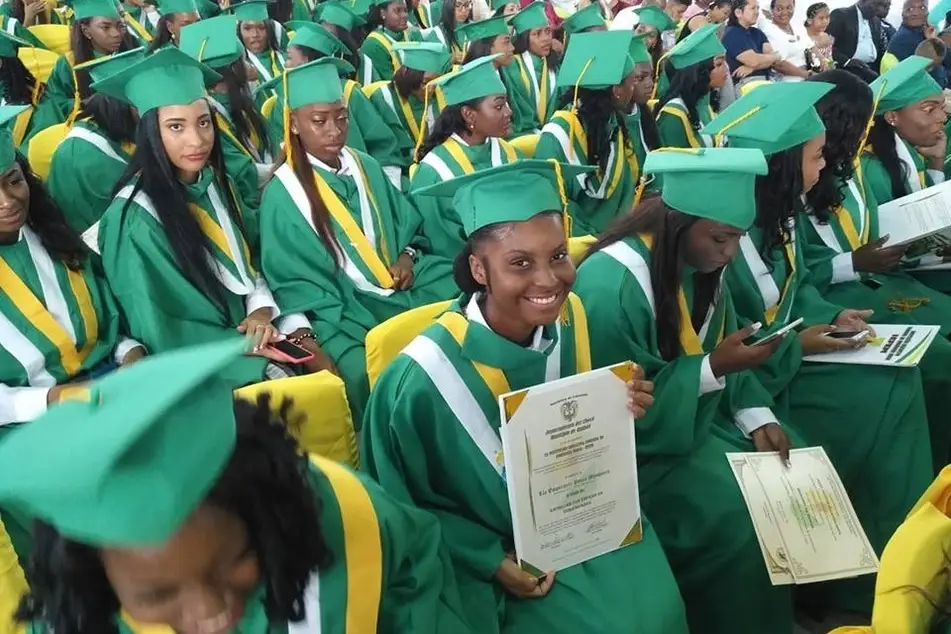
{"x":687,"y":487}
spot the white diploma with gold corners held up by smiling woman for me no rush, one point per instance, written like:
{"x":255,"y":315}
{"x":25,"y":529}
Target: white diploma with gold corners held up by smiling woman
{"x":571,"y":469}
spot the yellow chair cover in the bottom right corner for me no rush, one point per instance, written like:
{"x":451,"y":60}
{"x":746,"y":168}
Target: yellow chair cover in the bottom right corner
{"x":914,"y":567}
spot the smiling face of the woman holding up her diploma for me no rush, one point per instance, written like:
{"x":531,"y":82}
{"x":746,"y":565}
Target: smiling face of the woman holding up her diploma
{"x":526,"y":270}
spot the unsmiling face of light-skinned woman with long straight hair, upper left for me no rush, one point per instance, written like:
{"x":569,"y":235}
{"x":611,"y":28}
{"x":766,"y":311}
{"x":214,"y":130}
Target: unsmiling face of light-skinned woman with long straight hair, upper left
{"x":188,"y":135}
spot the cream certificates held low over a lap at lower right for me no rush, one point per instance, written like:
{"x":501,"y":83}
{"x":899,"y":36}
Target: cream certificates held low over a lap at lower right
{"x":807,"y":528}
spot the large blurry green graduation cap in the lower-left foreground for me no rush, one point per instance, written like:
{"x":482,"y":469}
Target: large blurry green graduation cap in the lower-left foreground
{"x":128,"y":467}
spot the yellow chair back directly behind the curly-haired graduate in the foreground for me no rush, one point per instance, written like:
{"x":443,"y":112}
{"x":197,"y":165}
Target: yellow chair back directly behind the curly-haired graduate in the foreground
{"x":325,"y":427}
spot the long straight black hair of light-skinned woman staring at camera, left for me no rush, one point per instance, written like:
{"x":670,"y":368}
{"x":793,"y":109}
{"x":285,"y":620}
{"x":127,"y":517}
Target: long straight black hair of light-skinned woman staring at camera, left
{"x":154,"y":175}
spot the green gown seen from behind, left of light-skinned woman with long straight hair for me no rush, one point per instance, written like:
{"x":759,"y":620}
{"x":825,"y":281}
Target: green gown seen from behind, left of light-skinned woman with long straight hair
{"x":85,"y":169}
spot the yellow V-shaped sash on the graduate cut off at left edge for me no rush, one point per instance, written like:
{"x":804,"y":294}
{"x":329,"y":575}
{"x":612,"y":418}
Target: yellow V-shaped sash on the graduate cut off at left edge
{"x":41,"y":319}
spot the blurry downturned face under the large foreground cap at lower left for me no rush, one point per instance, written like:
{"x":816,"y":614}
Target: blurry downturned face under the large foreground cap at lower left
{"x":196,"y":583}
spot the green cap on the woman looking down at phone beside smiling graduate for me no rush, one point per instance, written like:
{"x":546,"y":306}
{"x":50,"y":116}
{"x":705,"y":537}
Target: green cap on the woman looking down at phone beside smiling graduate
{"x":713,"y":183}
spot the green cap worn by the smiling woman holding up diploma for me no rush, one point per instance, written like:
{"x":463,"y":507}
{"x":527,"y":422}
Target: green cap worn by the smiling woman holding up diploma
{"x":514,"y":192}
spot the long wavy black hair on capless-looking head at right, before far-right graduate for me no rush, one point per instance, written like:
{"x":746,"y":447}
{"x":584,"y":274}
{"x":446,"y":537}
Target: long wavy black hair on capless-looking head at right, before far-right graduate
{"x":845,"y":111}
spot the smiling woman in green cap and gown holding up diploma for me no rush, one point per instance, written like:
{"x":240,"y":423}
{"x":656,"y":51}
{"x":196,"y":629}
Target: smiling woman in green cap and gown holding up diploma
{"x":435,"y":411}
